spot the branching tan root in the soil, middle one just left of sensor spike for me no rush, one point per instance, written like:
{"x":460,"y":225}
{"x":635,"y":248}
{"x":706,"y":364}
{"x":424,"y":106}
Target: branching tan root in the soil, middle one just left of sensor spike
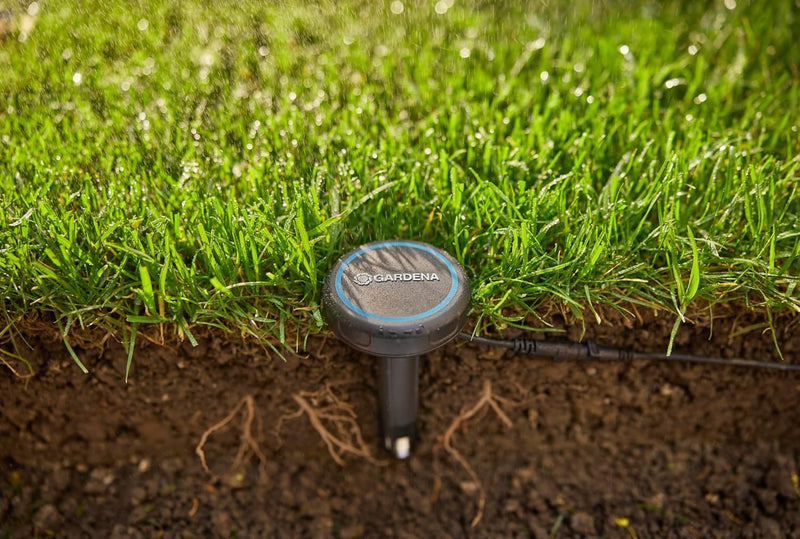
{"x":334,"y":420}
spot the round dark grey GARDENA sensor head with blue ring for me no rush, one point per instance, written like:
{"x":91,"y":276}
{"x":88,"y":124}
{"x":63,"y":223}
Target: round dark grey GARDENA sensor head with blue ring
{"x":396,"y":298}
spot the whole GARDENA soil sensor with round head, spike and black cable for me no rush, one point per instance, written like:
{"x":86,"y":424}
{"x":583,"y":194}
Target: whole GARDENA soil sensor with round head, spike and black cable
{"x":400,"y":299}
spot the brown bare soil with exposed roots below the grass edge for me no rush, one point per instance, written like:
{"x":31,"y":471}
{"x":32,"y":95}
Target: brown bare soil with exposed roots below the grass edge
{"x":643,"y":449}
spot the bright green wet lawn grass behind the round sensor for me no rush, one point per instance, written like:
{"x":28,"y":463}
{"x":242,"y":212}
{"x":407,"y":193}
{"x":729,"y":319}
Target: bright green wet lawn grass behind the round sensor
{"x":188,"y":164}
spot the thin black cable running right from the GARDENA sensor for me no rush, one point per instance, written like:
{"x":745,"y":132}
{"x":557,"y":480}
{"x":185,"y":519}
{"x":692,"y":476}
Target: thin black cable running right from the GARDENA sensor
{"x":589,"y":351}
